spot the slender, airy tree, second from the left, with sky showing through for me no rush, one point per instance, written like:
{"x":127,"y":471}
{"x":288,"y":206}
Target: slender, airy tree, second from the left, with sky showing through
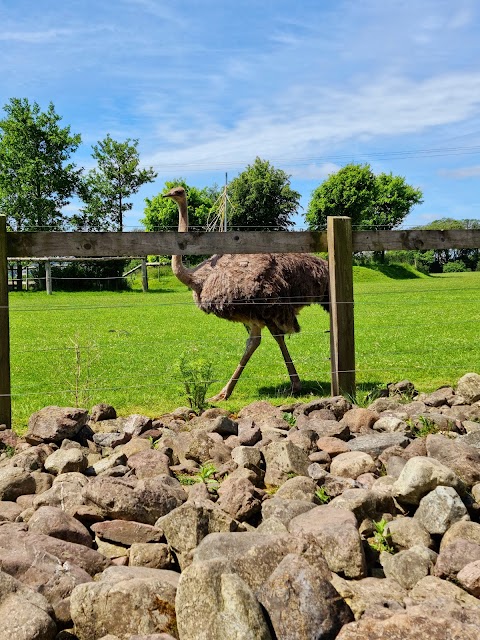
{"x":106,"y":189}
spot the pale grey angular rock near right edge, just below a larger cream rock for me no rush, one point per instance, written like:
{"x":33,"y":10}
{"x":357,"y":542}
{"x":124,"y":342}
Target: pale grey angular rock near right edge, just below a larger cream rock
{"x":439,"y":509}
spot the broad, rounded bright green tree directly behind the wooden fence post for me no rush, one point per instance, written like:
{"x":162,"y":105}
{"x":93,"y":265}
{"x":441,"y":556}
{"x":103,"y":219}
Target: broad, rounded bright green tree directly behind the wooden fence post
{"x":369,"y":200}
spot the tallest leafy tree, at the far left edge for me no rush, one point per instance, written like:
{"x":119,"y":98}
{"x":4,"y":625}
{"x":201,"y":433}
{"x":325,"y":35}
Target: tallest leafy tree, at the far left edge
{"x":36,"y":179}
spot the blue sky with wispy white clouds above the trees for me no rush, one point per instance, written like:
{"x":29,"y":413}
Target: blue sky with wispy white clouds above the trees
{"x":208,"y":85}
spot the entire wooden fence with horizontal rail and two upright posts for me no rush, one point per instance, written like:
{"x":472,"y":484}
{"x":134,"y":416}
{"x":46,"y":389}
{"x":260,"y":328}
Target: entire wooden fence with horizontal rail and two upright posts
{"x":338,"y":240}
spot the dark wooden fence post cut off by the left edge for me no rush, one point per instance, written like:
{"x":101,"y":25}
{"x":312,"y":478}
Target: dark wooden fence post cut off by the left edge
{"x":5,"y":391}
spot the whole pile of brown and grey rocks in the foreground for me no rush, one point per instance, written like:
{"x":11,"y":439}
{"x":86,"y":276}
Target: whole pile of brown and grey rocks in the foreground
{"x":311,"y":521}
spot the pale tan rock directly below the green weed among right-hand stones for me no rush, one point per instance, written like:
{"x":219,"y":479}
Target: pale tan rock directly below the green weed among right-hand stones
{"x":410,"y":566}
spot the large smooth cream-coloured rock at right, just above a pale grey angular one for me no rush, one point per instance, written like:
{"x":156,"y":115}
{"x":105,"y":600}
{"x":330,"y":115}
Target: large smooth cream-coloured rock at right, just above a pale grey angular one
{"x":421,"y":475}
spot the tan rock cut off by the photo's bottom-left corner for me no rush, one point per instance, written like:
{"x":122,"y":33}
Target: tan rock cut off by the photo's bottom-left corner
{"x":25,"y":614}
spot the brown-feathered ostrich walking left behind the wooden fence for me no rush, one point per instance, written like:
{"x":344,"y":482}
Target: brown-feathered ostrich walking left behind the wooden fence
{"x":258,"y":290}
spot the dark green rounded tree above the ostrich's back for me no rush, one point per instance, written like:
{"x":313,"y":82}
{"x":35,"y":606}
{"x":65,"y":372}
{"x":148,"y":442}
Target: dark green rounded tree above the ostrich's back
{"x":261,"y":198}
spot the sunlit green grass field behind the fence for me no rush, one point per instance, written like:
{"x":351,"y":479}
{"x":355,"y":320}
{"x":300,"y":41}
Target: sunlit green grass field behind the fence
{"x":124,"y":348}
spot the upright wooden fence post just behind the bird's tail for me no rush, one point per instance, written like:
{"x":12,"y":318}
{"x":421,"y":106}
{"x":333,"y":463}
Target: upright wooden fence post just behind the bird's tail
{"x":342,"y":336}
